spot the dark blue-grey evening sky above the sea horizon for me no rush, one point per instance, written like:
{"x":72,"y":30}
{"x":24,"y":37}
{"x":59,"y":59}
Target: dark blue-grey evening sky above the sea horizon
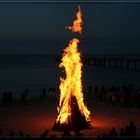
{"x":40,"y":28}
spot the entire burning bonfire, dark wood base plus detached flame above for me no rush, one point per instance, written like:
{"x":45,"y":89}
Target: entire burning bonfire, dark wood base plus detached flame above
{"x":72,"y":112}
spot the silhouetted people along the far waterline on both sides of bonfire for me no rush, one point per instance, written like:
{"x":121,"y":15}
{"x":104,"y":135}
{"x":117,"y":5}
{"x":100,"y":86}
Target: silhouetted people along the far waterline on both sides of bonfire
{"x":126,"y":96}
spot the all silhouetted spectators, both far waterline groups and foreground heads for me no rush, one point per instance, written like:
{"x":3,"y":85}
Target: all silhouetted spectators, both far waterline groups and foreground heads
{"x":126,"y":96}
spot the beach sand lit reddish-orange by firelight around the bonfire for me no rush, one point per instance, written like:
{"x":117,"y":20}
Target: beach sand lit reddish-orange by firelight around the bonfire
{"x":34,"y":118}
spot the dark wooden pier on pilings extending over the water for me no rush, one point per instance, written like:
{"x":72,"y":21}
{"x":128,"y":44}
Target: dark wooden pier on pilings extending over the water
{"x":119,"y":61}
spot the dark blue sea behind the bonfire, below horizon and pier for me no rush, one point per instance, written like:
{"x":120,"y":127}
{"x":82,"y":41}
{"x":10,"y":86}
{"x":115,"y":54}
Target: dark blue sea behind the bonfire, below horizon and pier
{"x":36,"y":72}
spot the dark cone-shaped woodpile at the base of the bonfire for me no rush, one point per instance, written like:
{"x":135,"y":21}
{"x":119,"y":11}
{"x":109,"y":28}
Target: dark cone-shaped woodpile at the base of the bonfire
{"x":76,"y":121}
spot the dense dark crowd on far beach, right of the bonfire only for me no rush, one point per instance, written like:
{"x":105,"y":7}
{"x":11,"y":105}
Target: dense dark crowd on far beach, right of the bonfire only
{"x":126,"y":96}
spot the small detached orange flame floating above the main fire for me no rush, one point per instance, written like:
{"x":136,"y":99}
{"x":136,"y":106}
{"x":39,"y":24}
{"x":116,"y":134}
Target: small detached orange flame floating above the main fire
{"x":77,"y":24}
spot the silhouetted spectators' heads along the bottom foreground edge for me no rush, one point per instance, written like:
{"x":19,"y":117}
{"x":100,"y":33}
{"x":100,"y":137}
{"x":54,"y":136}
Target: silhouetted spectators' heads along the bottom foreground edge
{"x":127,"y":131}
